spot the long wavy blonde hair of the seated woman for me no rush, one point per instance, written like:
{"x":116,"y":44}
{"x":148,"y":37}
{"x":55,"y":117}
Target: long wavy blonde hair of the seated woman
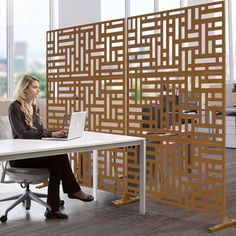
{"x":20,"y":95}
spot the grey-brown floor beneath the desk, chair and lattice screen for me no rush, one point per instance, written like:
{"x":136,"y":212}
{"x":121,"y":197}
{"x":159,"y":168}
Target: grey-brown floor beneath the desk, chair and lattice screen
{"x":103,"y":219}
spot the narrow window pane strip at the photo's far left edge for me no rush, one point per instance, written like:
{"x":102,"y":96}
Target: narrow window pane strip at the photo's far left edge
{"x":3,"y":53}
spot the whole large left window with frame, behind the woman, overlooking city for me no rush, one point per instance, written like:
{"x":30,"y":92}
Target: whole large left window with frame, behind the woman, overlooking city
{"x":23,"y":41}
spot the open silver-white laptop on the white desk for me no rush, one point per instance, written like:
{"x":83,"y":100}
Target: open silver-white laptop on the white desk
{"x":76,"y":127}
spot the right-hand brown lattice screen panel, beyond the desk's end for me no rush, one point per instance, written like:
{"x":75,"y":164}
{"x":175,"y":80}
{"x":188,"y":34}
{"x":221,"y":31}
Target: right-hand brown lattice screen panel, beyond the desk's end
{"x":176,"y":81}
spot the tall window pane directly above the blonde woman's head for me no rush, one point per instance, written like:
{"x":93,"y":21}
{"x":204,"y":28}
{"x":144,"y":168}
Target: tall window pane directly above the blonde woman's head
{"x":31,"y":21}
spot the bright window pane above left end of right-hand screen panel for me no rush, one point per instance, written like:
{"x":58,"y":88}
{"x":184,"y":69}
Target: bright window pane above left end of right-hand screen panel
{"x":139,"y":7}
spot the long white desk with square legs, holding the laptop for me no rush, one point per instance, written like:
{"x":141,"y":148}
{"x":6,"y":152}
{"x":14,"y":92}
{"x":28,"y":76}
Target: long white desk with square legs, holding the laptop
{"x":13,"y":149}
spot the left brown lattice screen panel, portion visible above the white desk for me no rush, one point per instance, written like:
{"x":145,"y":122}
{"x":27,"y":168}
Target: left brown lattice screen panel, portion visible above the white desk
{"x":85,"y":71}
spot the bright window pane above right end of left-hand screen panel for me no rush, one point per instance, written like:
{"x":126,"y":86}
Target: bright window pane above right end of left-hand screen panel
{"x":112,"y":9}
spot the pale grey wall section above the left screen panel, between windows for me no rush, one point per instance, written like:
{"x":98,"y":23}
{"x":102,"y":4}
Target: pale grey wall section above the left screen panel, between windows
{"x":78,"y":12}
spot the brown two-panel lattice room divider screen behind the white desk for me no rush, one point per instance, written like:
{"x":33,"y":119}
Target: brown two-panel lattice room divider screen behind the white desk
{"x":160,"y":76}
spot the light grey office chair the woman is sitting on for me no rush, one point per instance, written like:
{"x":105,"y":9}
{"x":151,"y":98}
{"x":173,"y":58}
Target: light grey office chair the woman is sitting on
{"x":23,"y":176}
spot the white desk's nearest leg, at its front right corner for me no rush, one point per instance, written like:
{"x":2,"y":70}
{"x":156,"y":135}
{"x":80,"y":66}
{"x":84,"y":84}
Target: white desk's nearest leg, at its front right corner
{"x":142,"y":156}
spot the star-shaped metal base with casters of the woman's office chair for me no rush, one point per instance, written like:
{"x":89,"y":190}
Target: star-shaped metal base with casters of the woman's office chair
{"x":26,"y":197}
